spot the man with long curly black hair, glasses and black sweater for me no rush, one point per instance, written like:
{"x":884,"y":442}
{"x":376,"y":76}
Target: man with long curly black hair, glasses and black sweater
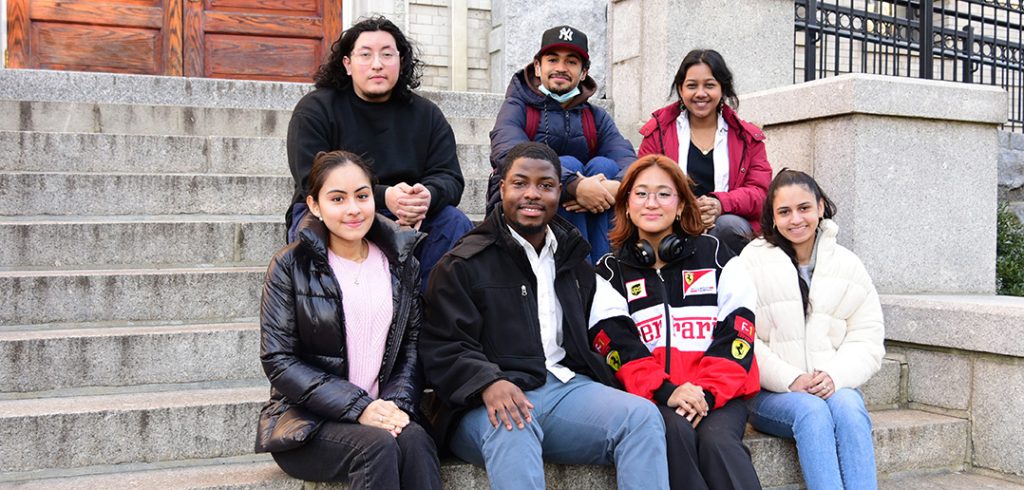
{"x":364,"y":104}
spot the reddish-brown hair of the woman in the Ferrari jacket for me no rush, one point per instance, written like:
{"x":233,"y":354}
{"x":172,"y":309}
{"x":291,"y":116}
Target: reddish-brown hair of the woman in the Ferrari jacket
{"x":625,"y":233}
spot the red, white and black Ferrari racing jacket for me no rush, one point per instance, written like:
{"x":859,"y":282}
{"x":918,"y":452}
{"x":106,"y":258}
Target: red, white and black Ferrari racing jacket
{"x":712,"y":309}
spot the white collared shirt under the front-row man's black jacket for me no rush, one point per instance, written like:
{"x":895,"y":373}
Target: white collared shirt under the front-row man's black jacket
{"x":549,"y":310}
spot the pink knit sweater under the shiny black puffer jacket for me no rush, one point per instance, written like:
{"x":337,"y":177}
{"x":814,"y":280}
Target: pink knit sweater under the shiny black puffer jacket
{"x":368,"y":311}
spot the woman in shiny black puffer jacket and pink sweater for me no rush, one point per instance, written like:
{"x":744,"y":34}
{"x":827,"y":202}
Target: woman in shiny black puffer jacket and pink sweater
{"x":339,"y":322}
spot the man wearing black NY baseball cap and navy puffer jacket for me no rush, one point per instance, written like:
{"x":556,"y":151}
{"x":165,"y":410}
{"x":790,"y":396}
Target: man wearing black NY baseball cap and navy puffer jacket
{"x":548,"y":102}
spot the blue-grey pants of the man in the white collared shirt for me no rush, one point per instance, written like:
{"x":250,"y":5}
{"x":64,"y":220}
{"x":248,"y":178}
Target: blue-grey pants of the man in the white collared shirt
{"x":577,"y":423}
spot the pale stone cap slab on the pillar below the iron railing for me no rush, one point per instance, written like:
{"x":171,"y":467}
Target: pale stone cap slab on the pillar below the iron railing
{"x":876,"y":95}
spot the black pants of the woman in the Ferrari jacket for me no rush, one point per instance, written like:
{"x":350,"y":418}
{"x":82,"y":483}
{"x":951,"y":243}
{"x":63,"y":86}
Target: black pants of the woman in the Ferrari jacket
{"x":713,"y":456}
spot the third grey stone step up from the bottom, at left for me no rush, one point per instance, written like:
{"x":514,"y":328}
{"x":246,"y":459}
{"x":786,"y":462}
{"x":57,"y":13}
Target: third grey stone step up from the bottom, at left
{"x":54,"y":359}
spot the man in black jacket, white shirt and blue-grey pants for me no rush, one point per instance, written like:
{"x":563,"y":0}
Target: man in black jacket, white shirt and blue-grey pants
{"x":505,"y":345}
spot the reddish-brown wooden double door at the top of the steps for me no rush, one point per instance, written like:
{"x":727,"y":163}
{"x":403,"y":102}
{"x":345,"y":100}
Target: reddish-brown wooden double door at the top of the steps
{"x":238,"y":39}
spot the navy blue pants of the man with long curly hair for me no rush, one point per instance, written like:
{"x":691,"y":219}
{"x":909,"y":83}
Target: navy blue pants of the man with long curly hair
{"x":444,"y":229}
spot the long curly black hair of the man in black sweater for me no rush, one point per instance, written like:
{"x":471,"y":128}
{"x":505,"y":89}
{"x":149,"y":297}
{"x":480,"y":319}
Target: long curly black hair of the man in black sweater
{"x":332,"y":74}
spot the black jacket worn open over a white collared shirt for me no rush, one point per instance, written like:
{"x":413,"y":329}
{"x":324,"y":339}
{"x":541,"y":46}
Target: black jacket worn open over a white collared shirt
{"x":482,"y":318}
